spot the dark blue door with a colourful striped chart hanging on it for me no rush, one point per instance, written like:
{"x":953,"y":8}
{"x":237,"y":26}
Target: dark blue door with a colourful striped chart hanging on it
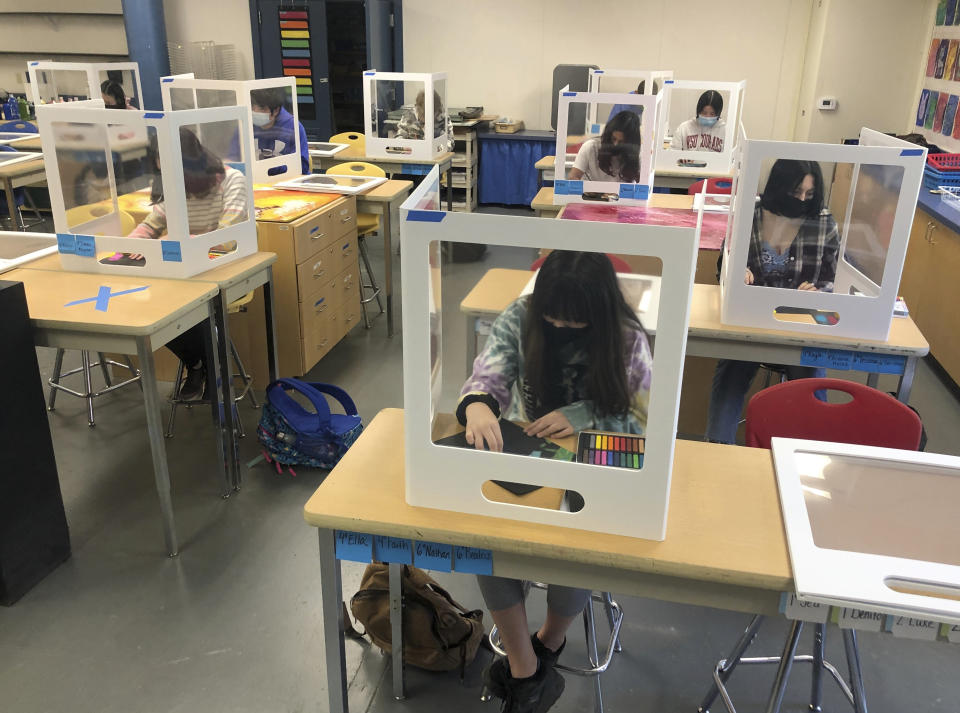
{"x":293,"y":42}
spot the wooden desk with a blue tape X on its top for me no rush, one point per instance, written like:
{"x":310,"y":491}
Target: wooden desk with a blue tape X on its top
{"x":133,"y":323}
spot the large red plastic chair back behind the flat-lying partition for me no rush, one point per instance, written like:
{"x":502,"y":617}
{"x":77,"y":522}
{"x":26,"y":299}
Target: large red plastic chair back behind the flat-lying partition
{"x":791,"y":410}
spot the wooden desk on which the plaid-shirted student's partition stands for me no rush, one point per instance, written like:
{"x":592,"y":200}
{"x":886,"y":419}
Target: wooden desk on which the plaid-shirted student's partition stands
{"x":708,"y":337}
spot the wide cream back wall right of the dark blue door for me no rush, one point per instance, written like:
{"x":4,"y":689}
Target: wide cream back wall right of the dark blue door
{"x":501,"y":54}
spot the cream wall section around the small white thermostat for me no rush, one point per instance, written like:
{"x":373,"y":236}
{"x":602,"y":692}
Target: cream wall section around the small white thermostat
{"x":867,"y":54}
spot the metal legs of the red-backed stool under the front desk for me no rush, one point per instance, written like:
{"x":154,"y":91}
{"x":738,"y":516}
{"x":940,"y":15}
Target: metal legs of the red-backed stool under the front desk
{"x":854,"y":693}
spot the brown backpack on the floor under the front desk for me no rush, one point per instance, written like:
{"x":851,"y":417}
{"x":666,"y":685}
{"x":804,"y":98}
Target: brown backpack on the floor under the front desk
{"x":438,"y":633}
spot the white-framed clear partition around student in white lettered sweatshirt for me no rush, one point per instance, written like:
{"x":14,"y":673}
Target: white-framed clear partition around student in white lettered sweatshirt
{"x":684,"y":143}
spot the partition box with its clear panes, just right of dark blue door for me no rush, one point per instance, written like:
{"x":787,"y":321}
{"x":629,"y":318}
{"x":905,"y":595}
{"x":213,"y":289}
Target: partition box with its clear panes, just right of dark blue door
{"x":406,"y":114}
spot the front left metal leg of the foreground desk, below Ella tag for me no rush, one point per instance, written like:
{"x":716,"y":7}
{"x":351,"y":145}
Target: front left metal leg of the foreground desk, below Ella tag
{"x":331,"y":598}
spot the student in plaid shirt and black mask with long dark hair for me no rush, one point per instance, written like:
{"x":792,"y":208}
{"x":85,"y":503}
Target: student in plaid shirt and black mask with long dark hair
{"x":793,"y":245}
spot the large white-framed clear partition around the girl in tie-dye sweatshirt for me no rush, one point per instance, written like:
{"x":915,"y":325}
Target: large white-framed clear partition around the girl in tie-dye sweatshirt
{"x":628,"y":499}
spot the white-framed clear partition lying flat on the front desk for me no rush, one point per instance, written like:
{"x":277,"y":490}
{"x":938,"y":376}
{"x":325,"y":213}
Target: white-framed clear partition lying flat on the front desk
{"x":872,"y":528}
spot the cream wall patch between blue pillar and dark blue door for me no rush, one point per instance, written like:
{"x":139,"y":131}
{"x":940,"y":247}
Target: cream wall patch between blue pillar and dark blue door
{"x":222,"y":21}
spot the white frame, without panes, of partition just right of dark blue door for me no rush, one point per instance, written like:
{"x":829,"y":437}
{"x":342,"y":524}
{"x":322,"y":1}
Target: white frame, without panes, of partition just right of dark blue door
{"x":425,"y":149}
